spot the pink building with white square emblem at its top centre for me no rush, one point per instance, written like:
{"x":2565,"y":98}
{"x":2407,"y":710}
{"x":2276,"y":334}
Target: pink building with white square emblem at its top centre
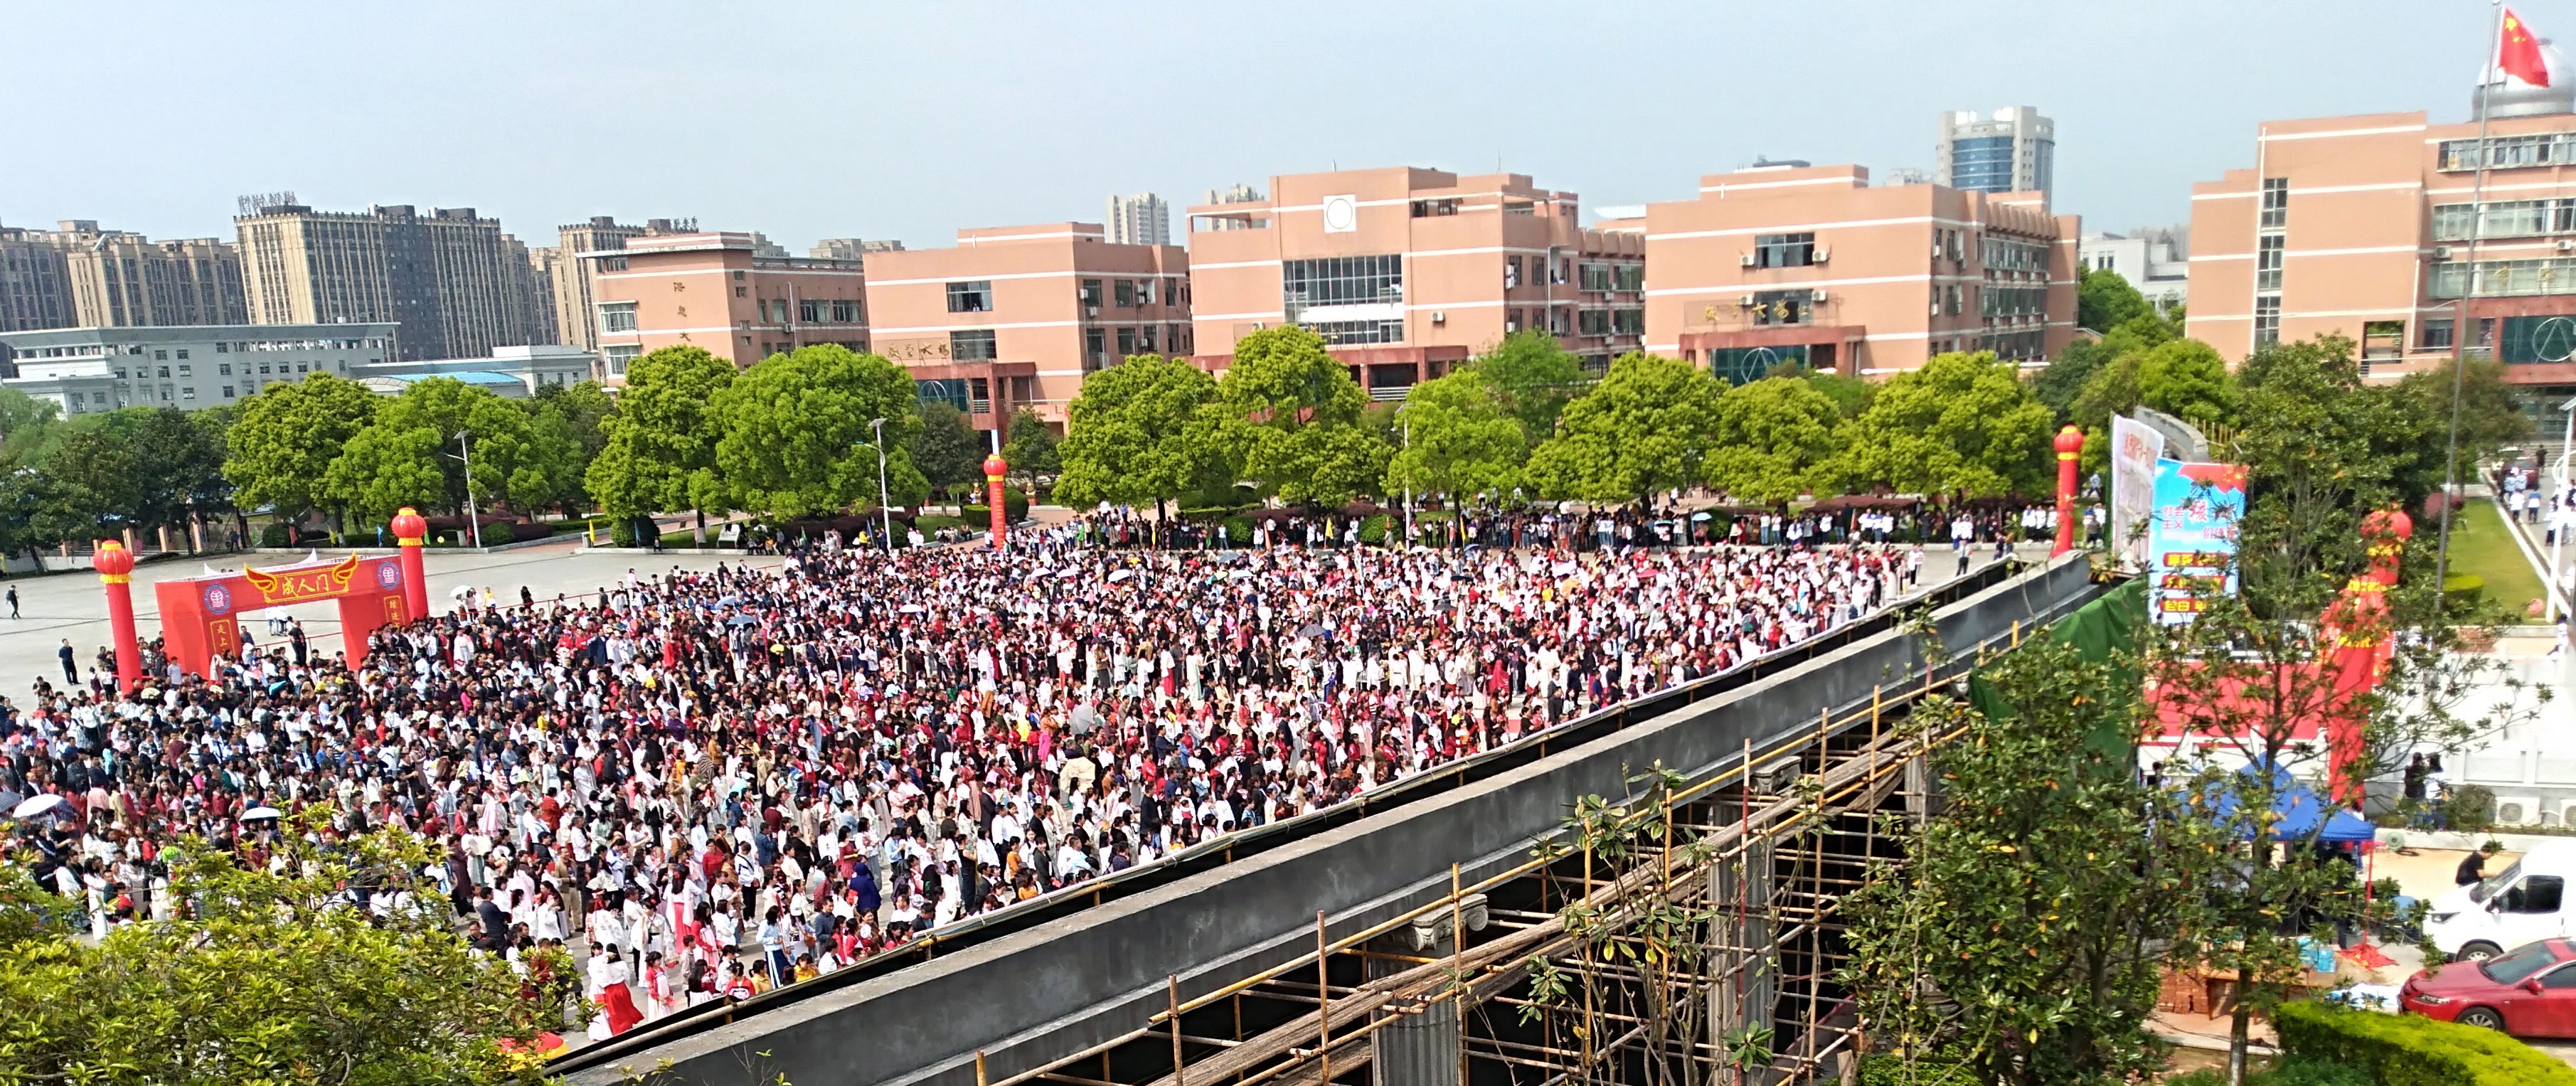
{"x":1413,"y":271}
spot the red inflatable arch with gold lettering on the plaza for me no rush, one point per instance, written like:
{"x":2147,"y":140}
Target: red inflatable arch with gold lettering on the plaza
{"x":202,"y":614}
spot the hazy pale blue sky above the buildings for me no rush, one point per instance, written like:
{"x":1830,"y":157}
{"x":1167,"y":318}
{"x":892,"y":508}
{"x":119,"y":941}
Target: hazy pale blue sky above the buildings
{"x":859,"y":120}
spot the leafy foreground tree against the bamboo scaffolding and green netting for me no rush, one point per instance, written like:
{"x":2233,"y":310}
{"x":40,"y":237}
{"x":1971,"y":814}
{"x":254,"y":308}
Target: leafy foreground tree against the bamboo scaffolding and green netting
{"x":2039,"y":899}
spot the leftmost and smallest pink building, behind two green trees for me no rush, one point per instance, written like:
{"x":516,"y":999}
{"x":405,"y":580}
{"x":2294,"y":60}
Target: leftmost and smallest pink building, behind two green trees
{"x":733,"y":295}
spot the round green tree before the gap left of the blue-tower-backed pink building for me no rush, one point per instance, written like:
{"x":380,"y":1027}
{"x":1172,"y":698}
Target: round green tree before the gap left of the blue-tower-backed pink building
{"x":1645,"y":428}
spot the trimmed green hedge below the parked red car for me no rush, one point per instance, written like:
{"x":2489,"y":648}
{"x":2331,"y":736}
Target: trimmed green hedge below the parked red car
{"x":2415,"y":1051}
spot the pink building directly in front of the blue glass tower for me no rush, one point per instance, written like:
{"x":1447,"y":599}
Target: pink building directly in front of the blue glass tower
{"x":1817,"y":266}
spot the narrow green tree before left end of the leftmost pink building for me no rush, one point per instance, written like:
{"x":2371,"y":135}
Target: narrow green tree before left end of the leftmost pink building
{"x":658,"y":452}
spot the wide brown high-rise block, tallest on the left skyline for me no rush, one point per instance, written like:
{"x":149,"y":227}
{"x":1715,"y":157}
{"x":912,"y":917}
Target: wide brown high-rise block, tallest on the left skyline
{"x":455,"y":282}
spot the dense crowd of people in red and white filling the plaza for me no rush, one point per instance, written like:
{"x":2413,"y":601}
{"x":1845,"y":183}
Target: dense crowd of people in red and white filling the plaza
{"x":725,"y":781}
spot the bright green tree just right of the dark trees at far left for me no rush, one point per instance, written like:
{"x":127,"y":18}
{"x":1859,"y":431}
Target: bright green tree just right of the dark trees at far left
{"x":287,"y":436}
